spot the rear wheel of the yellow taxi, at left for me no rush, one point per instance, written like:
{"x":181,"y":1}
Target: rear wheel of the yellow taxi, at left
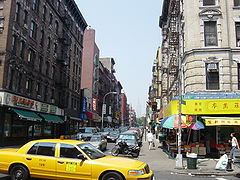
{"x":19,"y":172}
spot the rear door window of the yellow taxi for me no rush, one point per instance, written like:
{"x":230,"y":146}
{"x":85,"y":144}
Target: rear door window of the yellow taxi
{"x":43,"y":148}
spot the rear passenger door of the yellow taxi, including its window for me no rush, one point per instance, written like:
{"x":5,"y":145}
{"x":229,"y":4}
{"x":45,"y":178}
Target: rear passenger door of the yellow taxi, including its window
{"x":41,"y":160}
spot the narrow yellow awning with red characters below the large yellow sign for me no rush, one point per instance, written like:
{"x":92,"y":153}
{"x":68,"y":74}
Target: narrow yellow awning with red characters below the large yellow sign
{"x":221,"y":121}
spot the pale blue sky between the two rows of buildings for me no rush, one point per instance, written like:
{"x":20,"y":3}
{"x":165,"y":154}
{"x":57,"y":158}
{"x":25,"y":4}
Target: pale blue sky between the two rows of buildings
{"x":128,"y":31}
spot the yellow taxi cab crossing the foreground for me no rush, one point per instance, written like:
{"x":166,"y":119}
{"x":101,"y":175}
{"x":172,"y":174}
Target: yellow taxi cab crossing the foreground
{"x":69,"y":159}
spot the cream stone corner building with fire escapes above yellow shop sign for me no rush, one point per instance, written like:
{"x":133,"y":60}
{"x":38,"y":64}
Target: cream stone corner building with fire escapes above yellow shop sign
{"x":201,"y":55}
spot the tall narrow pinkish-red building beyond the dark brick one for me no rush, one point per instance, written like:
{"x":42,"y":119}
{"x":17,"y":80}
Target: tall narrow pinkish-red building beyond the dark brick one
{"x":90,"y":75}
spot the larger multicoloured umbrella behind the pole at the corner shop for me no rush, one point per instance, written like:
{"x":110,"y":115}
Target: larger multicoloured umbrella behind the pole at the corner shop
{"x":171,"y":122}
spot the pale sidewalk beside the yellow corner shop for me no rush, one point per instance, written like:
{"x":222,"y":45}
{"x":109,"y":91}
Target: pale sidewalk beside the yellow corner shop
{"x":159,"y":160}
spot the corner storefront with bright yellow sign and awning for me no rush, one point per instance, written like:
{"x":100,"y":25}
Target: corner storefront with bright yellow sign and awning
{"x":220,"y":114}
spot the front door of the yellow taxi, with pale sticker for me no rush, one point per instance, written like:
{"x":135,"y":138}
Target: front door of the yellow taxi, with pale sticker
{"x":69,"y":166}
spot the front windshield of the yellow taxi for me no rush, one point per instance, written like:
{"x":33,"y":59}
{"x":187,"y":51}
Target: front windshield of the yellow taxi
{"x":91,"y":151}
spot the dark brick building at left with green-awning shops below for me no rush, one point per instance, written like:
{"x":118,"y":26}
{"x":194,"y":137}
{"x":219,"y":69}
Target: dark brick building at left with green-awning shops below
{"x":40,"y":68}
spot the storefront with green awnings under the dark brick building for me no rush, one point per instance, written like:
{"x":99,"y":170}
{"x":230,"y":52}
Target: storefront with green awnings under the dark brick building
{"x":23,"y":119}
